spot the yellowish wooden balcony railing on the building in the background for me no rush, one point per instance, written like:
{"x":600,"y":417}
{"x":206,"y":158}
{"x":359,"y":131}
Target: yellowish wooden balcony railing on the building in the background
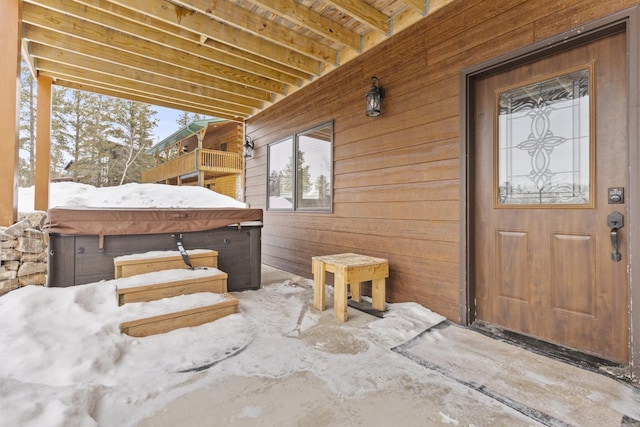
{"x":212,"y":162}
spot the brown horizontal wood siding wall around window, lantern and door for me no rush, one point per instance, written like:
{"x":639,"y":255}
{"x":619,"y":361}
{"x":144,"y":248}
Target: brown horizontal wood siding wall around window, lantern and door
{"x":396,"y":177}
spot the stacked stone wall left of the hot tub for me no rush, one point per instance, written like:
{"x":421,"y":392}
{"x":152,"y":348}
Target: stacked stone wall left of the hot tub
{"x":23,"y":252}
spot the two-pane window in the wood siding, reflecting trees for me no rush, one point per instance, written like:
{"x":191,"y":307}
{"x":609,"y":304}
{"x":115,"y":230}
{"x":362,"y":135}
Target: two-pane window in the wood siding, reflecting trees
{"x":302,"y":182}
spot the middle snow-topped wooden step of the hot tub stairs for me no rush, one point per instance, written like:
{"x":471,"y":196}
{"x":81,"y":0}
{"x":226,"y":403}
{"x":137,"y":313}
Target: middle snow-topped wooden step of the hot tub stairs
{"x":168,"y":283}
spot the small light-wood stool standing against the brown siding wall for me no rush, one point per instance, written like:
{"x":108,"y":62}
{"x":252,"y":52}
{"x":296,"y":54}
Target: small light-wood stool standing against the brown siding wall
{"x":349,"y":269}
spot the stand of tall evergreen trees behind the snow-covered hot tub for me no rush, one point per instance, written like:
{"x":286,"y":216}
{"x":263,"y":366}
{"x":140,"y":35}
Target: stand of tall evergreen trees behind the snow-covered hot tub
{"x":98,"y":139}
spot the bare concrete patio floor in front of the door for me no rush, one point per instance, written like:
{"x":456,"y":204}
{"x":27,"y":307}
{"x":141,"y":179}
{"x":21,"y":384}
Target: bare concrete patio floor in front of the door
{"x":501,"y":385}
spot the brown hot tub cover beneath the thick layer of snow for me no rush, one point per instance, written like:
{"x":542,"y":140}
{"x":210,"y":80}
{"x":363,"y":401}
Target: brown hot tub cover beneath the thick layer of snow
{"x":119,"y":221}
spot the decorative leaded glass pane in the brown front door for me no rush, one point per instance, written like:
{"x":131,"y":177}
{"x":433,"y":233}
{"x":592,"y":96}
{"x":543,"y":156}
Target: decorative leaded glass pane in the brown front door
{"x":544,"y":142}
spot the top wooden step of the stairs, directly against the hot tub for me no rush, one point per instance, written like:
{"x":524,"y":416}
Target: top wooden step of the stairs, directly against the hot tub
{"x":131,"y":265}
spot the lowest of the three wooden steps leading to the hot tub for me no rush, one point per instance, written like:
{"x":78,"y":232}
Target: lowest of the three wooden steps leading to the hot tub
{"x":222,"y":306}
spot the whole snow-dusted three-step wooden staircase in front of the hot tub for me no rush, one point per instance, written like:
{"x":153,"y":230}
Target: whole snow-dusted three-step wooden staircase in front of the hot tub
{"x":159,"y":277}
